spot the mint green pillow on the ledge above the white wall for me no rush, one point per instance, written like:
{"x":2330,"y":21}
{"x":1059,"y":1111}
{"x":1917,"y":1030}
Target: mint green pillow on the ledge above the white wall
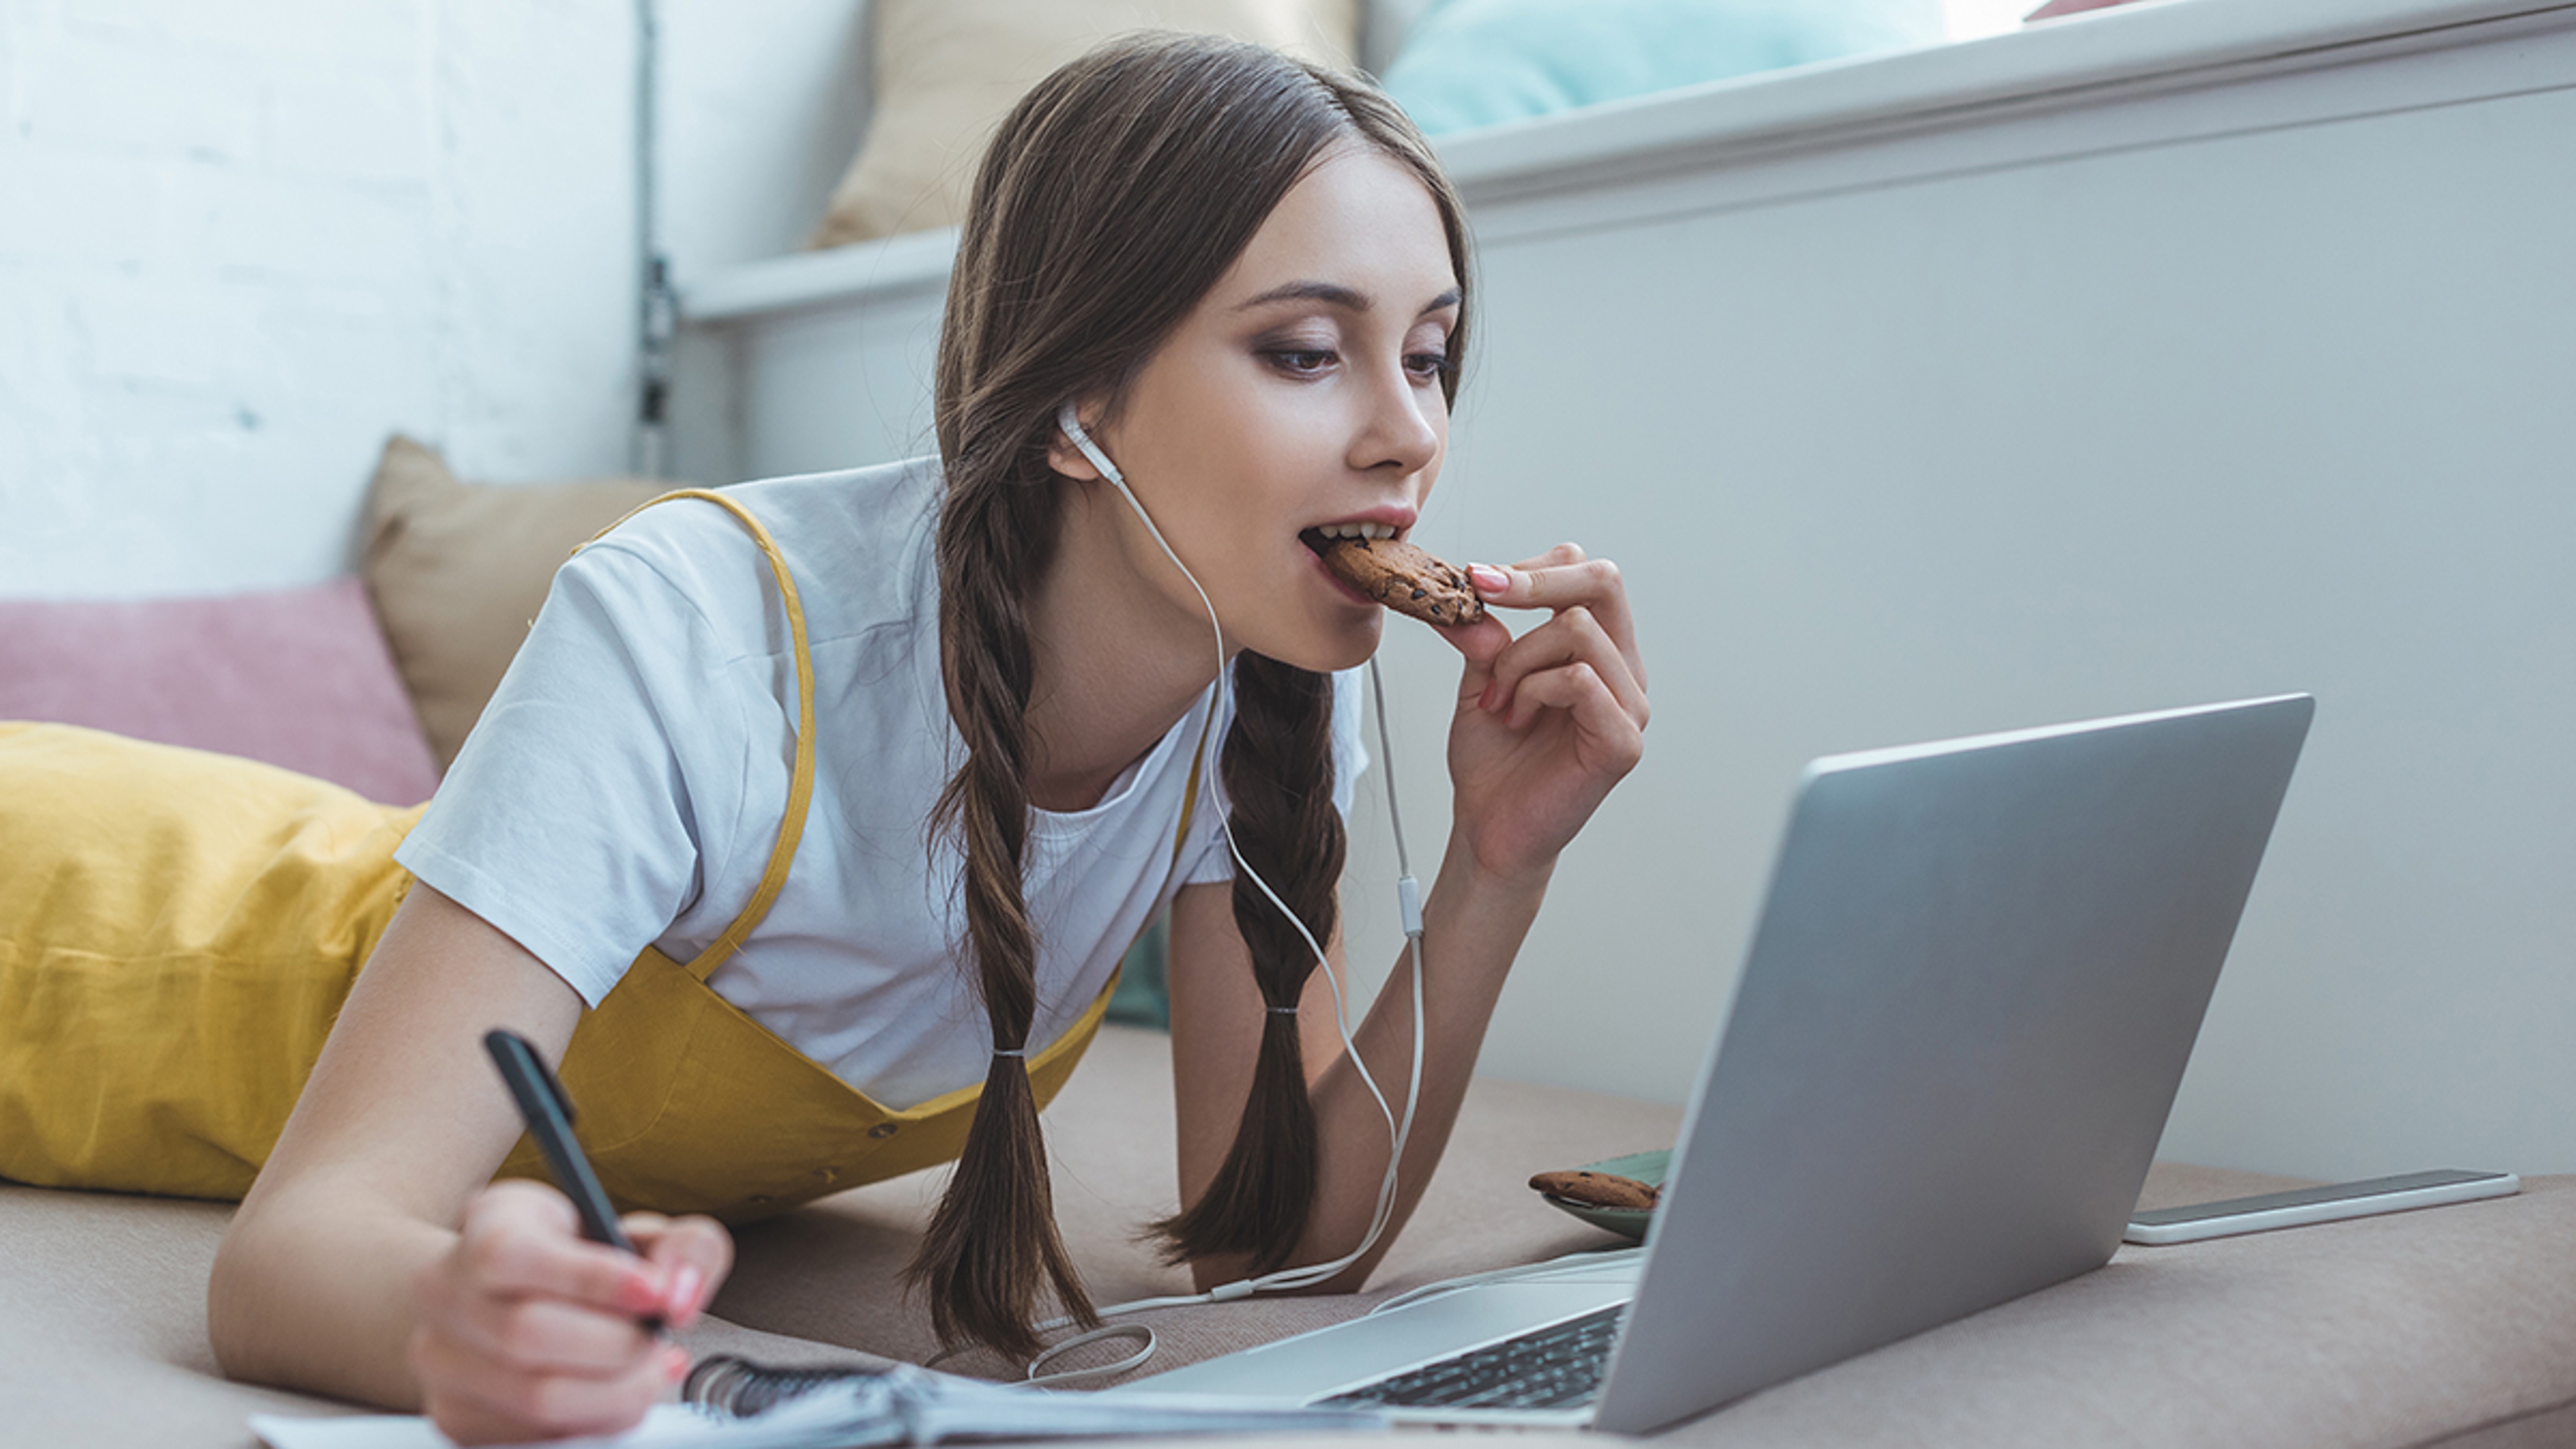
{"x":1477,"y":63}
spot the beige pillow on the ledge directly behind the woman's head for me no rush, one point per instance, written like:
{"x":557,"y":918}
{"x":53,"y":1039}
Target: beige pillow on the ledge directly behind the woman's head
{"x":949,"y":71}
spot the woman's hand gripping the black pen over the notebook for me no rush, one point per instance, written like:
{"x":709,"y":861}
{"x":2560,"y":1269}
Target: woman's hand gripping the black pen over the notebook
{"x":532,"y":1332}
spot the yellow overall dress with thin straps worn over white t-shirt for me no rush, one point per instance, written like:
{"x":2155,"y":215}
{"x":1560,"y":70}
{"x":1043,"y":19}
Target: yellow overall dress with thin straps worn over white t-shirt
{"x":179,"y":932}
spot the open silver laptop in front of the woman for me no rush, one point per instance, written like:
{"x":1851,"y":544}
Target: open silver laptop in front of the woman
{"x":1946,"y":1069}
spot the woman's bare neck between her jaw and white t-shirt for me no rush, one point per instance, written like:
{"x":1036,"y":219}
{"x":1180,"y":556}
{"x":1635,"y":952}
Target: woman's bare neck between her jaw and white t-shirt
{"x":1114,"y":666}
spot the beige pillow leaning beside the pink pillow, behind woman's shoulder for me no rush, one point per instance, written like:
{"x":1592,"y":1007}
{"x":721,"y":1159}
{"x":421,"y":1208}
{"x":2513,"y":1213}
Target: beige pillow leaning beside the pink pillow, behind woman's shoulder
{"x":457,"y":574}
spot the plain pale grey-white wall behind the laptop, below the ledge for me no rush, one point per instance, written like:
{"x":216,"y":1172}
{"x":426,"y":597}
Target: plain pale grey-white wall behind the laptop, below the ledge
{"x":2124,"y":404}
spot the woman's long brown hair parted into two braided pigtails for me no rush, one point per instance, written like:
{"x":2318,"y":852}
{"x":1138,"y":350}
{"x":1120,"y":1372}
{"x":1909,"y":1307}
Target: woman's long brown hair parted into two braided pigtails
{"x":1114,"y":197}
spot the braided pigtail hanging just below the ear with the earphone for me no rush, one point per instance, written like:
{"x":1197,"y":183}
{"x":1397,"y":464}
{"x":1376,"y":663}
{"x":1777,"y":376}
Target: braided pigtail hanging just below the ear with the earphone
{"x":993,"y":1239}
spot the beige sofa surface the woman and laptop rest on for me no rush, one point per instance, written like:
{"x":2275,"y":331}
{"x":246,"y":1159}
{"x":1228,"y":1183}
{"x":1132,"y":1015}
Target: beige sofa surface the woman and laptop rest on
{"x":2446,"y":1327}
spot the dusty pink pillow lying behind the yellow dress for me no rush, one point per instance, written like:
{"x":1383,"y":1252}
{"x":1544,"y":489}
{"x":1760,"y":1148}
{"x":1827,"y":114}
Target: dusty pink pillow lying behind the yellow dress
{"x":298,"y":679}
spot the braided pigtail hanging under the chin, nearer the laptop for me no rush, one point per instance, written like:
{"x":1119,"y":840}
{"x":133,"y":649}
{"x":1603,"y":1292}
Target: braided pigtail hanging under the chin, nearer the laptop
{"x":1279,"y":777}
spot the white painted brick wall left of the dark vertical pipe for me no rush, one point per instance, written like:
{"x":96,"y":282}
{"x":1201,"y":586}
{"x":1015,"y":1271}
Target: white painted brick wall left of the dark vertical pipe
{"x":241,"y":244}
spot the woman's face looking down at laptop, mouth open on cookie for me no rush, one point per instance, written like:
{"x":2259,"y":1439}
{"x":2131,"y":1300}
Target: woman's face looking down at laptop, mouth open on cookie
{"x":1300,"y":396}
